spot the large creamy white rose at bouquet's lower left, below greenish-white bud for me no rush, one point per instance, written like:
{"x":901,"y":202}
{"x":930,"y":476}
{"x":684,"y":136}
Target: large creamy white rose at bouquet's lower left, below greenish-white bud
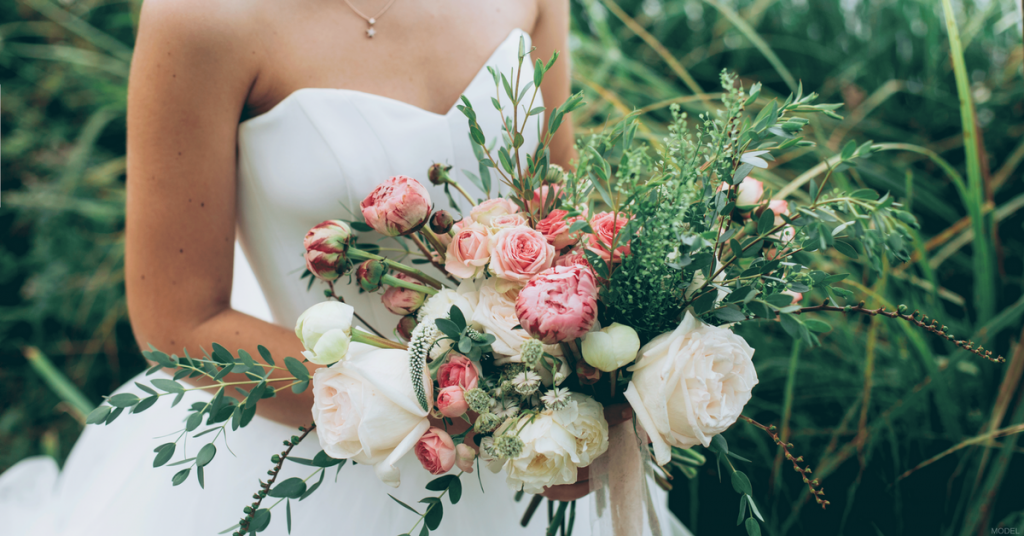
{"x":366,"y":410}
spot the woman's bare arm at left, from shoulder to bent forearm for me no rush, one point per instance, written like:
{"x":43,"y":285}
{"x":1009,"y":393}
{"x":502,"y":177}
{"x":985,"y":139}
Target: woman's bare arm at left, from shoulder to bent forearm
{"x":192,"y":71}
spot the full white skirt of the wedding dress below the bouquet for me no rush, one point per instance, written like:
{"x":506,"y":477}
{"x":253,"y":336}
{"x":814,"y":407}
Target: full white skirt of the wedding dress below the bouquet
{"x":110,"y":488}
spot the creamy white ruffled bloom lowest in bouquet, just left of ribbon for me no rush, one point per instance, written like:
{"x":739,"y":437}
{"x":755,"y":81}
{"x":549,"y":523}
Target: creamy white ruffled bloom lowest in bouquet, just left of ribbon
{"x":548,"y":459}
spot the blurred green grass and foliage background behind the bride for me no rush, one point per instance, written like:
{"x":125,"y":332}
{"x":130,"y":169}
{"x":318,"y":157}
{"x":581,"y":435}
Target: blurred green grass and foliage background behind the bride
{"x":908,"y":435}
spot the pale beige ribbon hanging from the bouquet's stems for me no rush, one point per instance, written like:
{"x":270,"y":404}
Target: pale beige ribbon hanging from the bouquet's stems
{"x":619,"y":481}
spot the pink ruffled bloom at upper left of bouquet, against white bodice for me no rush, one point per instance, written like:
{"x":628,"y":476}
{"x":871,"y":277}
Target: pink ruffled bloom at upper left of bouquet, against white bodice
{"x":400,"y":207}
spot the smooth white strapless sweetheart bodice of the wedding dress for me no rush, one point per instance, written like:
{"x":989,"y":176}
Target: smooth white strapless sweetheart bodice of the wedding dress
{"x":319,"y":153}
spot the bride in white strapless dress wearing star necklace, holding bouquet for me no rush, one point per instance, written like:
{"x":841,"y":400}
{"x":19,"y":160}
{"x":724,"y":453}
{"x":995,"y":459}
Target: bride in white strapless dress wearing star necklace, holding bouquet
{"x":249,"y":122}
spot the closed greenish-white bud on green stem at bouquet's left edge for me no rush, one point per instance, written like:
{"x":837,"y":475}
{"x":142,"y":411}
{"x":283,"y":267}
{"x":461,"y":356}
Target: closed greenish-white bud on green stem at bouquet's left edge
{"x":325,"y":332}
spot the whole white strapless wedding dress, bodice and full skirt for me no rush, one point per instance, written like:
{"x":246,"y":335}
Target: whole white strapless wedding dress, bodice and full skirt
{"x":313,"y":157}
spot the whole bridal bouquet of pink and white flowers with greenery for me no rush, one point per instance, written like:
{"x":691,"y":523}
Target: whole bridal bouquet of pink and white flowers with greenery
{"x":565,"y":293}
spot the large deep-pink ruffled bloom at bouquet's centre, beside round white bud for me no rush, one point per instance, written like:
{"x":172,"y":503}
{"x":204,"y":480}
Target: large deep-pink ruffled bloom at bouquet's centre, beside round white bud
{"x":559,"y":305}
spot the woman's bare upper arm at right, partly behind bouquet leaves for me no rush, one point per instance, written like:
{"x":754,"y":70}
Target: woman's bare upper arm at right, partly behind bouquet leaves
{"x":551,"y":33}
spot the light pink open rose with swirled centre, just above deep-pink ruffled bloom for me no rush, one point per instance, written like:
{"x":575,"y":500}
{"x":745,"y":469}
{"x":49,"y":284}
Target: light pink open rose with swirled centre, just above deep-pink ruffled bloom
{"x":520,"y":254}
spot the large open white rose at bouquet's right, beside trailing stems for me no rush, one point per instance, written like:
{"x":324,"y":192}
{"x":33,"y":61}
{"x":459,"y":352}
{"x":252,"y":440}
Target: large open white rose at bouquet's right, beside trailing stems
{"x":691,"y":385}
